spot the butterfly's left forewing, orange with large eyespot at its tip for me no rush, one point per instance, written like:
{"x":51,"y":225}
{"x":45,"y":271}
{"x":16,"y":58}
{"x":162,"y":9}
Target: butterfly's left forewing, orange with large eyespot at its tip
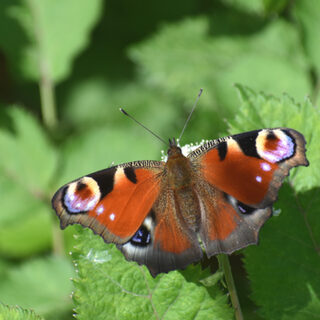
{"x":113,"y":202}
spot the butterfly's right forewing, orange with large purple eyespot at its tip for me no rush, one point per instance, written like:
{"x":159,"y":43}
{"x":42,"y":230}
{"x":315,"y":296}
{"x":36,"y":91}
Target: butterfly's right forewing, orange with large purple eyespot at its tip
{"x":251,"y":166}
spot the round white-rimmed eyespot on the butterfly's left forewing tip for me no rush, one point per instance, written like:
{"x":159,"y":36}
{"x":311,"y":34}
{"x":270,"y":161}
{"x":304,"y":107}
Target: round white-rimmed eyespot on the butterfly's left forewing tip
{"x":81,"y":196}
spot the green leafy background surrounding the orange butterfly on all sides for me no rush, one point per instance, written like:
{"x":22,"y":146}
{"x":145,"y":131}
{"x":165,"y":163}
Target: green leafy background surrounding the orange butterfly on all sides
{"x":65,"y":69}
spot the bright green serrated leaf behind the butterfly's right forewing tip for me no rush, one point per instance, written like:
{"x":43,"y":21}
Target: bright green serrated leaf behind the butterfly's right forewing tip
{"x":258,"y":110}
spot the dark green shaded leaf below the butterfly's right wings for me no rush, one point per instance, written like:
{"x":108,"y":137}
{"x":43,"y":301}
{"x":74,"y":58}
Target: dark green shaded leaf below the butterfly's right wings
{"x":287,"y":262}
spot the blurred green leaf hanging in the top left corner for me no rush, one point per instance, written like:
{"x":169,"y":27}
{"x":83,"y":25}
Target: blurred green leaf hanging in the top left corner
{"x":45,"y":34}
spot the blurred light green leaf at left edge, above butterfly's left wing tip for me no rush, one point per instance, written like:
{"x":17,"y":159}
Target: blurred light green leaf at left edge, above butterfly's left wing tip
{"x":29,"y":160}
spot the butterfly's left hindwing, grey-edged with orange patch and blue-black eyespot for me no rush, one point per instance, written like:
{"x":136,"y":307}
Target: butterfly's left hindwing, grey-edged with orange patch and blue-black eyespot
{"x":170,"y":244}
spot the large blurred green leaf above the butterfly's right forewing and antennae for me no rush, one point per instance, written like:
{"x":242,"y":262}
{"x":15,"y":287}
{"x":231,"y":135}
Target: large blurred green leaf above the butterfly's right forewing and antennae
{"x":184,"y":56}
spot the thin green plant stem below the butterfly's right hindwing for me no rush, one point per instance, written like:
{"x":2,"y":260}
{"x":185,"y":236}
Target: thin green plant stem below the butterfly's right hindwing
{"x":225,"y":266}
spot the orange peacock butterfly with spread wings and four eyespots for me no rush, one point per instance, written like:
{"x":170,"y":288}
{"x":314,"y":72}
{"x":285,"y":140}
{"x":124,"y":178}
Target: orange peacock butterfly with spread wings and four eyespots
{"x":163,"y":214}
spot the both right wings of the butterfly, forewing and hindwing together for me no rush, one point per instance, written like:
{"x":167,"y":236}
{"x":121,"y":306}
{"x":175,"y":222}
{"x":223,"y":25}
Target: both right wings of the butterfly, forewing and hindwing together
{"x":241,"y":176}
